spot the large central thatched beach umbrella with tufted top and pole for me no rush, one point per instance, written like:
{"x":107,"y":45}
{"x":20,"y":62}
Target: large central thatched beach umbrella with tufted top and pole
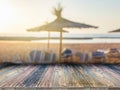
{"x":58,"y":24}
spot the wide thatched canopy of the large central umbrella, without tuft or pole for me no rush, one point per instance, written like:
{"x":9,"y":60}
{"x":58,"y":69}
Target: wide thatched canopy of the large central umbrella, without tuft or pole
{"x":60,"y":23}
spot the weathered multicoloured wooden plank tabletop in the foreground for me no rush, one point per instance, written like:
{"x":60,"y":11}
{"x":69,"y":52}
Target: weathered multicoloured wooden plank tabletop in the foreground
{"x":83,"y":77}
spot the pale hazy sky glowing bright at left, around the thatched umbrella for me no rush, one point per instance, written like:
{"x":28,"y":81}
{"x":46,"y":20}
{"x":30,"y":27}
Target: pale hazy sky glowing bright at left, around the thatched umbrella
{"x":16,"y":16}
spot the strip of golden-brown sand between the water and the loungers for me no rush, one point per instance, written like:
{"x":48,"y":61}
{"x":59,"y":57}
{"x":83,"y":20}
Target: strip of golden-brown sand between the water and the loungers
{"x":20,"y":46}
